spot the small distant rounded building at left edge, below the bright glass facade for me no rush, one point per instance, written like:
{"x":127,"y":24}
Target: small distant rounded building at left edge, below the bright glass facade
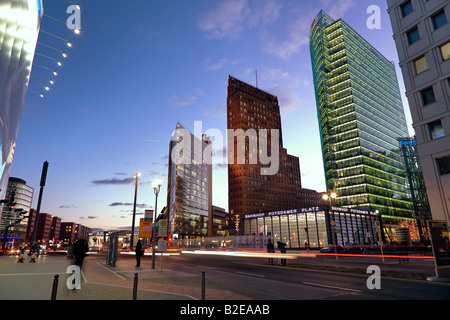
{"x":14,"y":213}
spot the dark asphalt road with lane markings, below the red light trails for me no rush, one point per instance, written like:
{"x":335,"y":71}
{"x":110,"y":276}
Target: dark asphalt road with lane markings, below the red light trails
{"x":283,"y":282}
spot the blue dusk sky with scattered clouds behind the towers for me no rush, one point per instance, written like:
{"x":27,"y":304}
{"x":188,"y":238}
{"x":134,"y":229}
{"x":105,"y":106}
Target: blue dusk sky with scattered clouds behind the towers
{"x":139,"y":67}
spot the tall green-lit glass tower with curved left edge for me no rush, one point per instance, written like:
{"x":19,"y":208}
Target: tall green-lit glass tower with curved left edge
{"x":361,"y":116}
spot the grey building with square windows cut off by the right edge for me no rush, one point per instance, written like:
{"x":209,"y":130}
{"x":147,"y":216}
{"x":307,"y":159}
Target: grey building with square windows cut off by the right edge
{"x":421,"y":31}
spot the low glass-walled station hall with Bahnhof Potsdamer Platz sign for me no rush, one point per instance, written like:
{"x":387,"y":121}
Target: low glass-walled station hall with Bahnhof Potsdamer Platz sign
{"x":315,"y":227}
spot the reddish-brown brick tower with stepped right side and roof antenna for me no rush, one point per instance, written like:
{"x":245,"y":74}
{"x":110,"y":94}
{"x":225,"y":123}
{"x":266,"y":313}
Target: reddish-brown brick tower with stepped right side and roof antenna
{"x":254,"y":115}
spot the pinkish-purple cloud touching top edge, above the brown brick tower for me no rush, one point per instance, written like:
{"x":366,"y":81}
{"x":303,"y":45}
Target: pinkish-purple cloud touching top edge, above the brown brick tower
{"x":230,"y":18}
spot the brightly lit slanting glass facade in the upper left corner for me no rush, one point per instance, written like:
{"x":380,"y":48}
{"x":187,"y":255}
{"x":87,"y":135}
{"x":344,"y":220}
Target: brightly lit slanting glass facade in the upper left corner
{"x":19,"y":29}
